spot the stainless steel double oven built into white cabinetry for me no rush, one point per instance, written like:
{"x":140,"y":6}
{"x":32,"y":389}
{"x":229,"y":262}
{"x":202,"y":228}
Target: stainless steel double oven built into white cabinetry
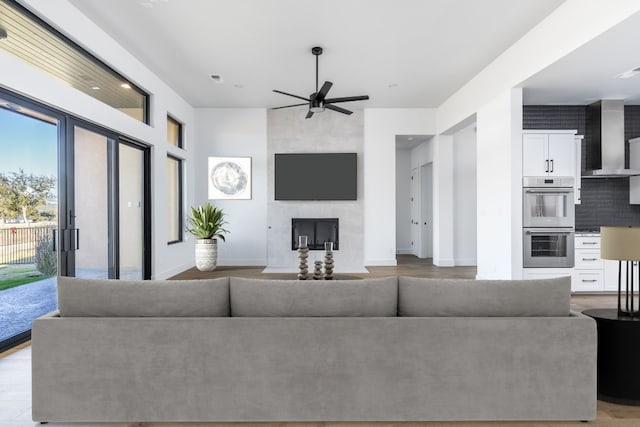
{"x":548,"y":222}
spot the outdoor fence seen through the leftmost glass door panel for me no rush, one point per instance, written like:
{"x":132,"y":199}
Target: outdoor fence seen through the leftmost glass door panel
{"x":18,"y":244}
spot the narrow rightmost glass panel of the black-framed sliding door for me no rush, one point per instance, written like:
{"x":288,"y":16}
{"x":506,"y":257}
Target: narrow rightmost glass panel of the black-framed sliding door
{"x":131,"y":211}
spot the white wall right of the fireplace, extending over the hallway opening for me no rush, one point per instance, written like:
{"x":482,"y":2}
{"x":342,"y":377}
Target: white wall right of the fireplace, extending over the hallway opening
{"x":381,"y":125}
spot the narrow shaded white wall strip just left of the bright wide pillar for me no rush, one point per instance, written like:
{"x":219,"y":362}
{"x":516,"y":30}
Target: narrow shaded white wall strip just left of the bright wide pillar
{"x":464,"y":196}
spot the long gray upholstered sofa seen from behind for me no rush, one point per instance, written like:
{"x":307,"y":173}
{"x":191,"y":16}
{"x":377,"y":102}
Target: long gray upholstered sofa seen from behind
{"x":390,"y":349}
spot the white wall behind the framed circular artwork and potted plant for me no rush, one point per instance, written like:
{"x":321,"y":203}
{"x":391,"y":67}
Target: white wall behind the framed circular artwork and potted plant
{"x":236,"y":132}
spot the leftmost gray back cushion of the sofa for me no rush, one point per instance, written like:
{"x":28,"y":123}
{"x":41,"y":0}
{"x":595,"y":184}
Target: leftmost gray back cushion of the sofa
{"x":79,"y":297}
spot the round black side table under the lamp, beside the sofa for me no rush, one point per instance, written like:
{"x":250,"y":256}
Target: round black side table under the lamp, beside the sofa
{"x":618,"y":353}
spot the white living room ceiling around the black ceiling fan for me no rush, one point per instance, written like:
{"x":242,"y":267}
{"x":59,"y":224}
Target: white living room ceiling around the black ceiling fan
{"x":403,"y":53}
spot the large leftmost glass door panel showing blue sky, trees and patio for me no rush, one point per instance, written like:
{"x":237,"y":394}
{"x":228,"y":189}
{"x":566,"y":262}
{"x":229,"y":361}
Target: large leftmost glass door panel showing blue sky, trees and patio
{"x":29,"y":138}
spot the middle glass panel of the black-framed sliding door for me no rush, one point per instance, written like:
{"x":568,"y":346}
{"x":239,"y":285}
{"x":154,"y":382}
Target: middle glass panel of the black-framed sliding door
{"x":89,"y":236}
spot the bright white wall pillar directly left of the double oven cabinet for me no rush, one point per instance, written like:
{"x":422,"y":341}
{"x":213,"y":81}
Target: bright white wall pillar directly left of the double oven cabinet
{"x":499,"y":198}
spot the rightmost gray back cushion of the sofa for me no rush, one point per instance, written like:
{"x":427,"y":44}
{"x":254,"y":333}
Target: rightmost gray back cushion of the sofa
{"x":424,"y":297}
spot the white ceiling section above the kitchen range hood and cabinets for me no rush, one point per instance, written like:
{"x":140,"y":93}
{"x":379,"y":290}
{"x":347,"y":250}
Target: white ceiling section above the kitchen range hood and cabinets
{"x":588,"y":73}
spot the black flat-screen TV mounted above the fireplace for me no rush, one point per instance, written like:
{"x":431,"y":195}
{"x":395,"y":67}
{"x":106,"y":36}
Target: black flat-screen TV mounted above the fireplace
{"x":316,"y":176}
